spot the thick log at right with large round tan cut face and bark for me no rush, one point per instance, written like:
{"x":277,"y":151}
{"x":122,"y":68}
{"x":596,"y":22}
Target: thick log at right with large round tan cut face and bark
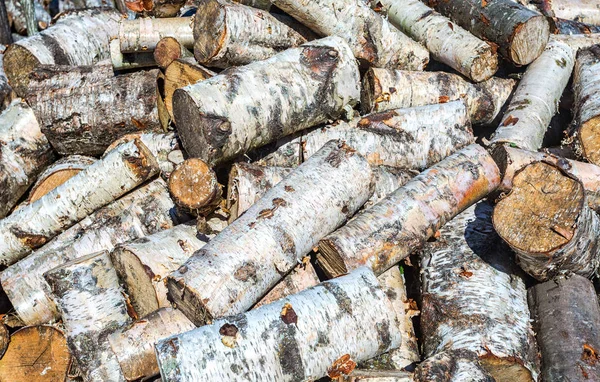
{"x":548,"y":223}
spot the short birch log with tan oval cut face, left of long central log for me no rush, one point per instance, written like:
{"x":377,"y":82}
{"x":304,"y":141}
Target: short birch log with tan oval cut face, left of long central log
{"x":143,"y":264}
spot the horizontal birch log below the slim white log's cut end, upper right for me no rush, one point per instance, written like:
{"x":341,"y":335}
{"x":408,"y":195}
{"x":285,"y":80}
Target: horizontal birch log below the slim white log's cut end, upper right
{"x":388,"y":89}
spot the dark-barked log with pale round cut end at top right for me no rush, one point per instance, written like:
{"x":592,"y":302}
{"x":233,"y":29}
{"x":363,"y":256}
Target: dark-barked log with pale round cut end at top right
{"x":519,"y":33}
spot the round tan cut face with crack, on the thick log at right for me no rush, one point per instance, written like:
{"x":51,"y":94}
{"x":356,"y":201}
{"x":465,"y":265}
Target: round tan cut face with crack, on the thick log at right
{"x":540,"y":213}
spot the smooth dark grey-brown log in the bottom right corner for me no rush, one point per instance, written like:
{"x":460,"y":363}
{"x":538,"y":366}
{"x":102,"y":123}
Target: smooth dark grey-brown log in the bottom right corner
{"x":567,"y":320}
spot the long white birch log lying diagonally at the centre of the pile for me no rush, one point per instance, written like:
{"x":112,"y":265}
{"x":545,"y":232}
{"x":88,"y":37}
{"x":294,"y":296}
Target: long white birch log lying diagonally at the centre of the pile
{"x":236,"y":268}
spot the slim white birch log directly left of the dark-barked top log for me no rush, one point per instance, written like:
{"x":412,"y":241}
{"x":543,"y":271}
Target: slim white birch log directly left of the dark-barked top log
{"x":446,"y":41}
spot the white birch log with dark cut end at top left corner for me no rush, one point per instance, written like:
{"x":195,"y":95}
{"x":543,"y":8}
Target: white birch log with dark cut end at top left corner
{"x":54,"y":46}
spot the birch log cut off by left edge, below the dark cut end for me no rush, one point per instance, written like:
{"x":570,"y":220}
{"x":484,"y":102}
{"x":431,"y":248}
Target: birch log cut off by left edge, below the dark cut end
{"x":24,"y":153}
